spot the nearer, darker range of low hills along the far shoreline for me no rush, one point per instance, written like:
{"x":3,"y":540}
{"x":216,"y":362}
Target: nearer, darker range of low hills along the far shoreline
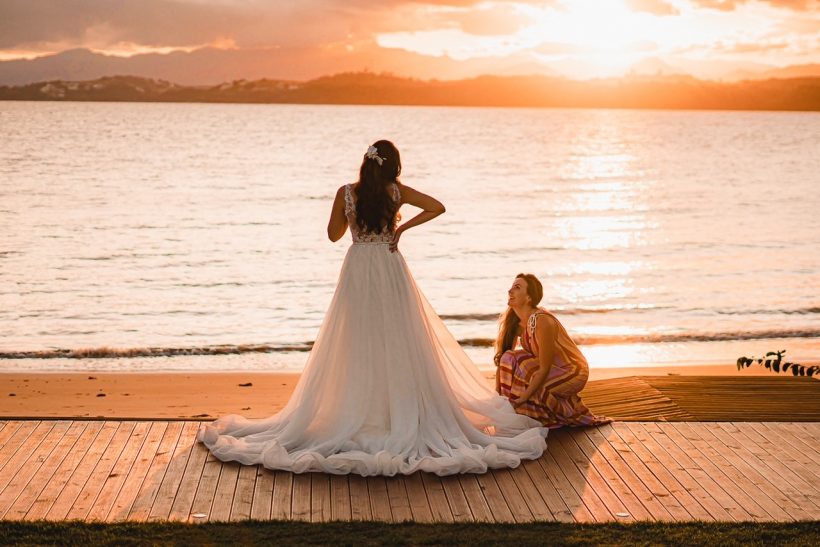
{"x":661,"y":92}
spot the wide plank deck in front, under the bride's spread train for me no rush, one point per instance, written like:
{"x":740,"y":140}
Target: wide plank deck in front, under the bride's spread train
{"x":674,"y":471}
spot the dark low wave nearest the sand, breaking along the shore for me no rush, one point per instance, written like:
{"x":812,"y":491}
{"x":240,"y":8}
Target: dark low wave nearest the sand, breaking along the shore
{"x":224,"y":349}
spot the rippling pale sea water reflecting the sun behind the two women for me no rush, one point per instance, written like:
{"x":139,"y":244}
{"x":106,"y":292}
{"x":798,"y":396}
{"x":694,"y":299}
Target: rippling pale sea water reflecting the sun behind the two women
{"x":660,"y":237}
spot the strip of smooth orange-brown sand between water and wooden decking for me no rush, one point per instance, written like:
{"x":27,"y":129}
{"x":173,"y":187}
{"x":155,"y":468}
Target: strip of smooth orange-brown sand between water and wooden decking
{"x":206,"y":395}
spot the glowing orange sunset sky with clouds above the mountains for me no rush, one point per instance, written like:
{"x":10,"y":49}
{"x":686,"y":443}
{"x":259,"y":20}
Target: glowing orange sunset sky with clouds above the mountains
{"x":575,"y":38}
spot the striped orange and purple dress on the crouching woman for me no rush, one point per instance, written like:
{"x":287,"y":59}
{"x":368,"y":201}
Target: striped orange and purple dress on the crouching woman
{"x":557,"y":403}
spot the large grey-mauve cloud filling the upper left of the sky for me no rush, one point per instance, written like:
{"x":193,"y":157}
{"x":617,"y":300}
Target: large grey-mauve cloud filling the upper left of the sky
{"x":179,"y":23}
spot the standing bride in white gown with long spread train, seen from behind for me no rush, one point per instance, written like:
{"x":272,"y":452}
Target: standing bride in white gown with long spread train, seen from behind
{"x":386,"y":388}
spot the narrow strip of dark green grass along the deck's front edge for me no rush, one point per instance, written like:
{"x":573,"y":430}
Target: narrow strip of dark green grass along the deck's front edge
{"x":372,"y":533}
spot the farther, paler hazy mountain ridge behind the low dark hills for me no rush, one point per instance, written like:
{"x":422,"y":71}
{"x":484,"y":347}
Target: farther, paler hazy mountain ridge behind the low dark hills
{"x":212,"y":66}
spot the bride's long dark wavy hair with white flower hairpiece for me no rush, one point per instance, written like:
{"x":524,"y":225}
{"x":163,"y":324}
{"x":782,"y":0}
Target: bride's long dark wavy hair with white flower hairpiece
{"x":375,"y":207}
